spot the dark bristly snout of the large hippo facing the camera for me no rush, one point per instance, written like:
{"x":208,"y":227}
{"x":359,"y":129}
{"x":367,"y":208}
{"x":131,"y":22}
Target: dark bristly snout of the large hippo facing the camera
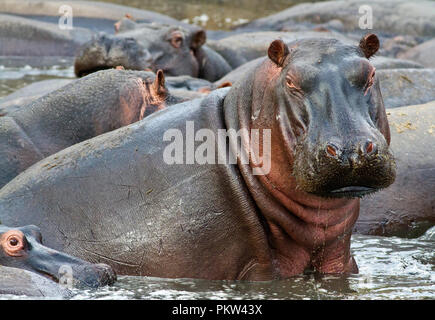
{"x":349,"y":170}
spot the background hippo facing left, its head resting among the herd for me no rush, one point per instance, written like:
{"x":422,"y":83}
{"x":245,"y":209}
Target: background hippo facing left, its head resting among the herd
{"x":173,"y":49}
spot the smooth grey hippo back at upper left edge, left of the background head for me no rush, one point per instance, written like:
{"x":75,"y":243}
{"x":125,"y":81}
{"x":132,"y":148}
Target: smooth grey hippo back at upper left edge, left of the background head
{"x":26,"y":37}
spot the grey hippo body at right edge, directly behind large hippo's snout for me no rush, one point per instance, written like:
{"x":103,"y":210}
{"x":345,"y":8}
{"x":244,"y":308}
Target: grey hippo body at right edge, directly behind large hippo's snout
{"x":407,"y":207}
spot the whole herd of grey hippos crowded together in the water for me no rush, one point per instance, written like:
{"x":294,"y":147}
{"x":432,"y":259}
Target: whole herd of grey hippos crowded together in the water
{"x":351,"y":114}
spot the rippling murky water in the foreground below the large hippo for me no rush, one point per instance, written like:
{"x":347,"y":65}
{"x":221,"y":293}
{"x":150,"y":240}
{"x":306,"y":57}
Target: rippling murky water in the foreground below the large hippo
{"x":390,"y":268}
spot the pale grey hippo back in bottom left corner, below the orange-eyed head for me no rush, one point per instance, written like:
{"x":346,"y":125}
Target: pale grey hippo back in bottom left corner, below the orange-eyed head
{"x":14,"y":281}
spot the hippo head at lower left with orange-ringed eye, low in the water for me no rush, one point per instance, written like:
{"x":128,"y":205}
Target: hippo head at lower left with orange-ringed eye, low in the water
{"x":22,"y":248}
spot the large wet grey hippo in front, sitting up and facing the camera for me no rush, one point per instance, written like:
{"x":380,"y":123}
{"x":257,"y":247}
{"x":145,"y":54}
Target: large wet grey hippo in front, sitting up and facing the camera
{"x":174,"y":209}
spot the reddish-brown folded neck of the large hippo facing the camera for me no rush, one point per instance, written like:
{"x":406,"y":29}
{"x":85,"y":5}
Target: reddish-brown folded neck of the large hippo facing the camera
{"x":305,"y":231}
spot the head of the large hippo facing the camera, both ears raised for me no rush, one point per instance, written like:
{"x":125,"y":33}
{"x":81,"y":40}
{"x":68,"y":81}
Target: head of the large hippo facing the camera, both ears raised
{"x":326,"y":105}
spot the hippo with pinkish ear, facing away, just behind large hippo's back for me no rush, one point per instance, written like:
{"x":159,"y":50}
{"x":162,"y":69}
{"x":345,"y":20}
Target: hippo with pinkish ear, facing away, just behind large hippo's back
{"x":80,"y":110}
